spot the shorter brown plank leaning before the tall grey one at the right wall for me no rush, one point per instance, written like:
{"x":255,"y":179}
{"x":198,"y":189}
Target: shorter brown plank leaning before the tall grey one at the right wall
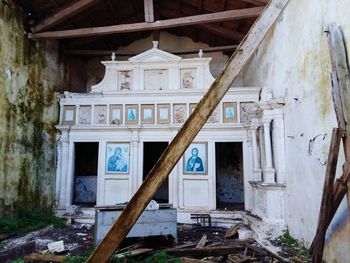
{"x":327,"y":196}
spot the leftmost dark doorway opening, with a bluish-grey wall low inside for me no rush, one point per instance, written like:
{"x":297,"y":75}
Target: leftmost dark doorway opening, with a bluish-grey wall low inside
{"x":85,"y":173}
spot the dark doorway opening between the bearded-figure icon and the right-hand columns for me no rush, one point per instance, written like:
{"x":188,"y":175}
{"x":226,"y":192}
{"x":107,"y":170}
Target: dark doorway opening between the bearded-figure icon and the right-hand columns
{"x":229,"y":175}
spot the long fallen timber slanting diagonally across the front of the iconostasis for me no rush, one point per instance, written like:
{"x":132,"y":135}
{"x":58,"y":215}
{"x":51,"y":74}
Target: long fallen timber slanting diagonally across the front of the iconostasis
{"x":188,"y":132}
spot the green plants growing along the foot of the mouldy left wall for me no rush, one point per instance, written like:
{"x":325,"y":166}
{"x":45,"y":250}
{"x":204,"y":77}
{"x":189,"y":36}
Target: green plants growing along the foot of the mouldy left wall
{"x":26,"y":220}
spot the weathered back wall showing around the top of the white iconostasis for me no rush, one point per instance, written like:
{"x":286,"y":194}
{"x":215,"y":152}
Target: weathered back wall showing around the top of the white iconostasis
{"x":95,"y":70}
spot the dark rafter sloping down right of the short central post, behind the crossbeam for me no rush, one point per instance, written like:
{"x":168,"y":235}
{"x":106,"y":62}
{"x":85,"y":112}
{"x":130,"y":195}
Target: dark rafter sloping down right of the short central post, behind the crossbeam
{"x":212,"y":28}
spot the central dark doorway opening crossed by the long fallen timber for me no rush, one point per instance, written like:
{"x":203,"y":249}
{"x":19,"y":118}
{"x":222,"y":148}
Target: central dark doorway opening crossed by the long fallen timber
{"x":151,"y":153}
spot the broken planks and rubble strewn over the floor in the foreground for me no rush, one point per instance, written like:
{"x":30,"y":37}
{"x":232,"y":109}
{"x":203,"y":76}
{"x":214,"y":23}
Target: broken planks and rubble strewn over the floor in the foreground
{"x":195,"y":243}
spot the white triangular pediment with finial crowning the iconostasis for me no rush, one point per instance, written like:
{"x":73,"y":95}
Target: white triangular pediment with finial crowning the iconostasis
{"x":154,"y":54}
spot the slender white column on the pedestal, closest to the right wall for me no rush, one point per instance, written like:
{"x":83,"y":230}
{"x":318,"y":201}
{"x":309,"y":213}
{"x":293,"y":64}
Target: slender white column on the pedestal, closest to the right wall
{"x":269,"y":171}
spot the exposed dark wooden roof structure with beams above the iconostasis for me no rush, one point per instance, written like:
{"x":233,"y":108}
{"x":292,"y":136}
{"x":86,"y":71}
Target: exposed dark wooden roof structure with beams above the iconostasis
{"x":108,"y":24}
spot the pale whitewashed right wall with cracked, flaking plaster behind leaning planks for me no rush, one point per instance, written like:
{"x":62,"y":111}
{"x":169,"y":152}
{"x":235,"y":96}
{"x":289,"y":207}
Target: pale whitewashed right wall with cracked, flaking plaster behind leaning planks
{"x":293,"y":61}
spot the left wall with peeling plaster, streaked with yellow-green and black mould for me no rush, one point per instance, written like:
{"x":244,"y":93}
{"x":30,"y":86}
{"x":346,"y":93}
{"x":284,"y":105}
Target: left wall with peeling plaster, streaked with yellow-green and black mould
{"x":30,"y":73}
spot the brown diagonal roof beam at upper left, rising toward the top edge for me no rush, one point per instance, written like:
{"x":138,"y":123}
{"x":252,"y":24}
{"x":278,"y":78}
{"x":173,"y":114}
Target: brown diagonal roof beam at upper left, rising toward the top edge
{"x":63,"y":15}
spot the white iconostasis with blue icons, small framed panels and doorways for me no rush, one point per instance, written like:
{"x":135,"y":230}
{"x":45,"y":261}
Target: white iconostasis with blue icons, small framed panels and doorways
{"x":111,"y":137}
